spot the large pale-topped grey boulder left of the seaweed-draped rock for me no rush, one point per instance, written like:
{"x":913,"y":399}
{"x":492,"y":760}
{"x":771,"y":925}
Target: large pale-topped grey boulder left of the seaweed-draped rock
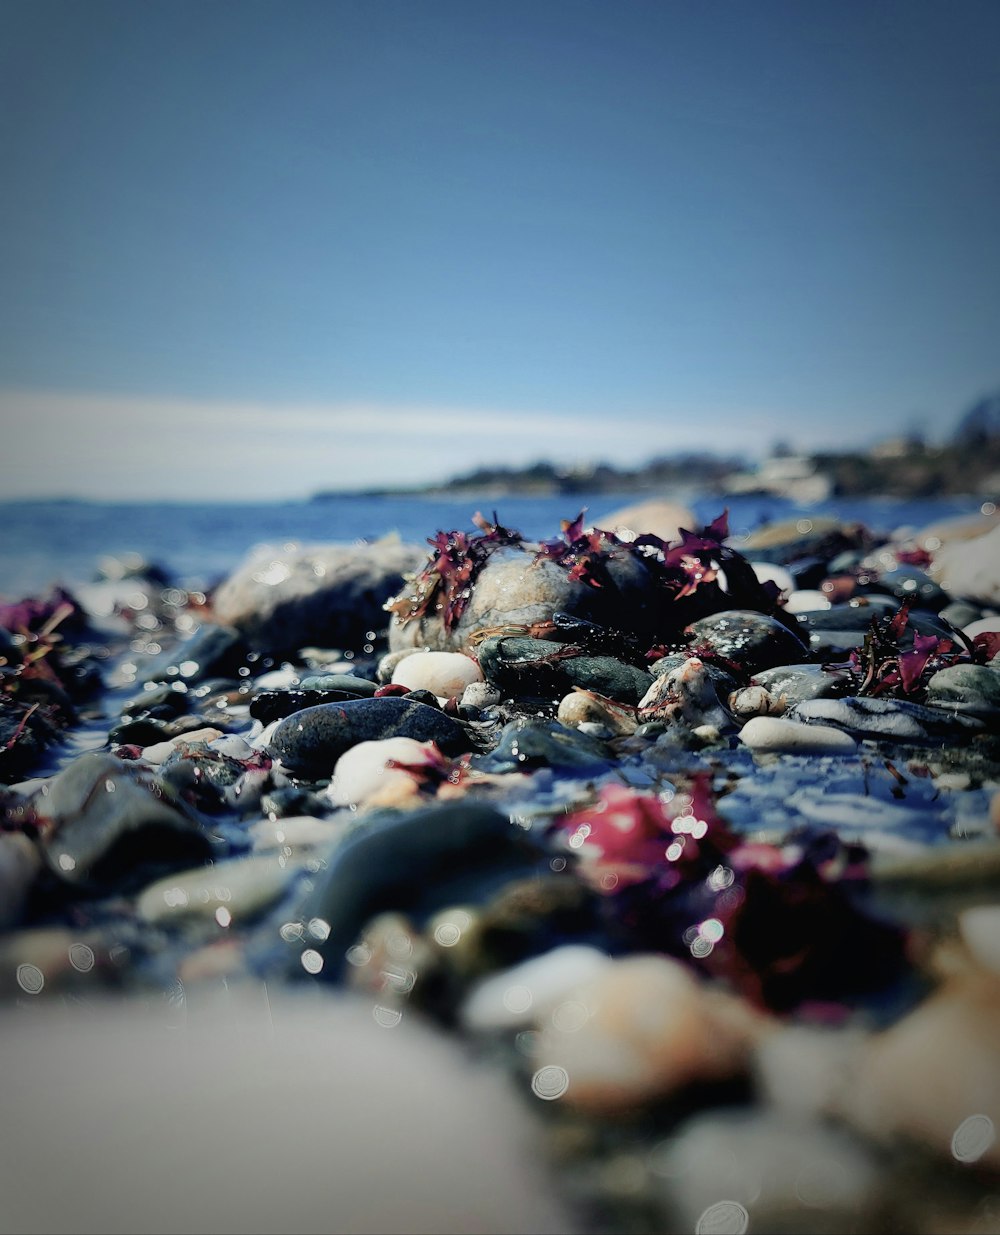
{"x":327,"y":595}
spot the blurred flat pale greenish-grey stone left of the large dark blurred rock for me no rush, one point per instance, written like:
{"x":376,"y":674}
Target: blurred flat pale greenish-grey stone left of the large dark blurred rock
{"x":228,"y":894}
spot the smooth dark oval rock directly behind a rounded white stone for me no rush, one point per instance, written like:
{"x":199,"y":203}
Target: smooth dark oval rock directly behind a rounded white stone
{"x":310,"y":742}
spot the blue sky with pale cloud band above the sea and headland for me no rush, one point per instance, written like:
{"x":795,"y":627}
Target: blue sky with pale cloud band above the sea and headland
{"x":269,"y":248}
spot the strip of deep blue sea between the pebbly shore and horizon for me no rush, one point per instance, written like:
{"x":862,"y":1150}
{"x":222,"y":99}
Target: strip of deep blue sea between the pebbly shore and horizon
{"x":49,"y":543}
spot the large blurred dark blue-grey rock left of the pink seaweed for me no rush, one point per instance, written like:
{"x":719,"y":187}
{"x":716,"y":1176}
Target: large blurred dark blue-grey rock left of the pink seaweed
{"x":415,"y":863}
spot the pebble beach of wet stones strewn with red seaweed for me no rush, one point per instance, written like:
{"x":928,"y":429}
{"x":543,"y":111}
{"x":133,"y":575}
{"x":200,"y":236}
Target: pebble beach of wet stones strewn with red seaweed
{"x":685,"y":848}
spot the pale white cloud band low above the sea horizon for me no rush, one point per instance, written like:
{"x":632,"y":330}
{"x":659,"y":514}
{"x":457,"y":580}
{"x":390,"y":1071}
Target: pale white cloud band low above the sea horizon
{"x":120,"y":448}
